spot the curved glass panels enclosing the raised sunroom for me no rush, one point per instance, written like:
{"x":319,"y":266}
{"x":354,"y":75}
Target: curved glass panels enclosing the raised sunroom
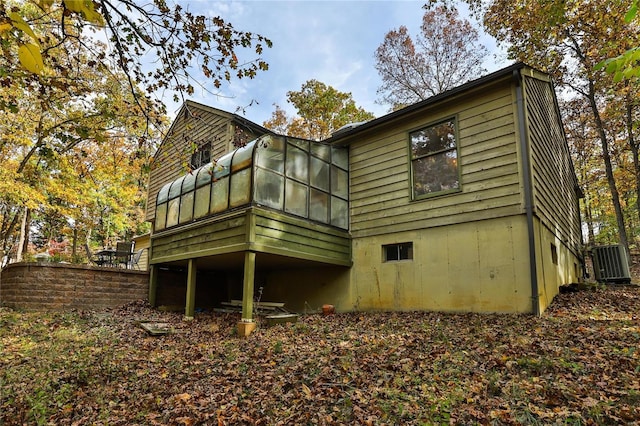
{"x":303,"y":178}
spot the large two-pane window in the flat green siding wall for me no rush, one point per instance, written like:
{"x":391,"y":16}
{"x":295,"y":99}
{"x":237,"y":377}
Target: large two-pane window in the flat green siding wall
{"x":434,"y":159}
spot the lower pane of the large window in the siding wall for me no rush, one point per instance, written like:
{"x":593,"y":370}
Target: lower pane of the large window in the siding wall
{"x":435,"y":173}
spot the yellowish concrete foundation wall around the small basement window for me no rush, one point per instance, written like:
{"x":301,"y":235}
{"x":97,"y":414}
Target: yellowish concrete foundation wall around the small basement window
{"x":470,"y":267}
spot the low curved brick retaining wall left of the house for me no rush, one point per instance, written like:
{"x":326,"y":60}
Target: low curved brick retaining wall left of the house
{"x":64,"y":286}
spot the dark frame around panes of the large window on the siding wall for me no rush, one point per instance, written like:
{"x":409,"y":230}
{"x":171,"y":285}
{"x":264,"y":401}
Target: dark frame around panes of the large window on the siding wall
{"x":456,"y":132}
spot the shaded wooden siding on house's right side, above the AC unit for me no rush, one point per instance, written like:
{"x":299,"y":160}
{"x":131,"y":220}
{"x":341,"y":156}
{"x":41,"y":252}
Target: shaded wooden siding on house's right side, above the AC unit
{"x":554,"y":183}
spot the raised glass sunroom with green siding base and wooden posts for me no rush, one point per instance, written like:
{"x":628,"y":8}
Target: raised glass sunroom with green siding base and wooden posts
{"x":276,"y":202}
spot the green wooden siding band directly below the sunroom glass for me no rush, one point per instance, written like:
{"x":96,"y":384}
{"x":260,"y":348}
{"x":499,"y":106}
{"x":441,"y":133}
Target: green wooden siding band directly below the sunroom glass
{"x":256,"y":229}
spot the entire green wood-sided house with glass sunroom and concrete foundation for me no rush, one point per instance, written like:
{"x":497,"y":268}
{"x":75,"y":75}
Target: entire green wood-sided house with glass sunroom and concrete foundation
{"x":465,"y":202}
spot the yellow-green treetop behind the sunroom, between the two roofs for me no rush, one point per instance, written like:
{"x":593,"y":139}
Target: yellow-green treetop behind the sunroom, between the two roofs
{"x":321,"y":110}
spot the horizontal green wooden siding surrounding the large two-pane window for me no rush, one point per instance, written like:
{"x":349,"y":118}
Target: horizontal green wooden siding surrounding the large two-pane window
{"x":490,"y":184}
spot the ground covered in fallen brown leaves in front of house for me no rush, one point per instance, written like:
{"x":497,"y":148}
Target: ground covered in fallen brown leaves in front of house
{"x":578,"y":364}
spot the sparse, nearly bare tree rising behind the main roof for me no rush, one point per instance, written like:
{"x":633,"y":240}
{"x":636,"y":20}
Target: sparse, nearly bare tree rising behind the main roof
{"x":445,"y":54}
